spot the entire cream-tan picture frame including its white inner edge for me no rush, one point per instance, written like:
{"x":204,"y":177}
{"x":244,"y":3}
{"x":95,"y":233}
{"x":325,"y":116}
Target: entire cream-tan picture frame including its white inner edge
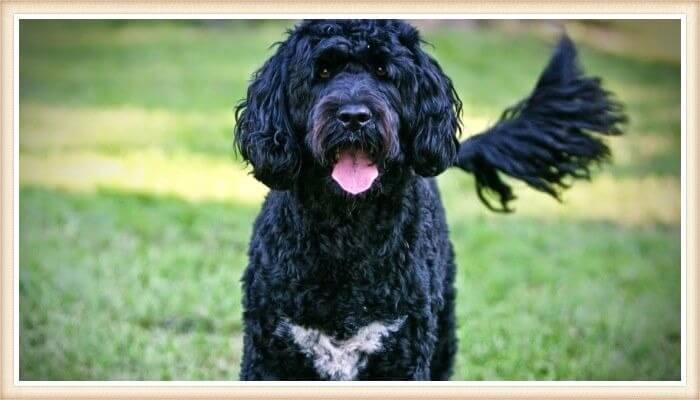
{"x":12,"y":388}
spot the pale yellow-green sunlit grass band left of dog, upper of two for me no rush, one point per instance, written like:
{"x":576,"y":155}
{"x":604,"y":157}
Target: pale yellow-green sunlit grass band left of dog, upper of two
{"x":56,"y":128}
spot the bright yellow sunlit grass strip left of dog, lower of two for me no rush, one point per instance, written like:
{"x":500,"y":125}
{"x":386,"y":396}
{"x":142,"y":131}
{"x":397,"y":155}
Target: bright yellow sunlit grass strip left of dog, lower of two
{"x":188,"y":176}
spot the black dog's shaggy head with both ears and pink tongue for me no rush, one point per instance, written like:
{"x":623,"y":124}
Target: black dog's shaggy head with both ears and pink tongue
{"x":352,"y":105}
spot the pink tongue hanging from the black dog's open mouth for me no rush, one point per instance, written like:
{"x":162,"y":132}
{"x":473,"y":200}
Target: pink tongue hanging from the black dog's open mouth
{"x":354,"y":172}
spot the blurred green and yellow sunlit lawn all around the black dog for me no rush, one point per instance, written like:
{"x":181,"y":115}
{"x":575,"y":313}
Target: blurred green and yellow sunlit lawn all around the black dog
{"x":135,"y":214}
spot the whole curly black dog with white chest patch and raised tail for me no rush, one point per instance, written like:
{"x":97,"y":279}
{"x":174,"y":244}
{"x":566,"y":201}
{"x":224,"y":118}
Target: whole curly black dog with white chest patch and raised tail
{"x":350,"y":271}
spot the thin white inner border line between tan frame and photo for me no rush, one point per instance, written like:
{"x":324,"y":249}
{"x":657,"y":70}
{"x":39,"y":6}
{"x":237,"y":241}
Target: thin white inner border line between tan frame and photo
{"x":416,"y":16}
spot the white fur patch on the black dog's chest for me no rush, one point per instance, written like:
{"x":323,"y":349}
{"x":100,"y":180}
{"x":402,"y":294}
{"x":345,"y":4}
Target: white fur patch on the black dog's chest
{"x":340,"y":359}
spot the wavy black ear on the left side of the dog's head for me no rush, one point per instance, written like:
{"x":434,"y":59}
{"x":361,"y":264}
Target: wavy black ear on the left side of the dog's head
{"x":263,"y":134}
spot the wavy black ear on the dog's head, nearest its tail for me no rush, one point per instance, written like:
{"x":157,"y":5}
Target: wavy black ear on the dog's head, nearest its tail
{"x":436,"y":118}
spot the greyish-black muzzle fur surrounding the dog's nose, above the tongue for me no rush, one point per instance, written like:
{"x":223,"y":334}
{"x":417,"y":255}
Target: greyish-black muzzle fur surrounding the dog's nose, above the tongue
{"x":377,"y":134}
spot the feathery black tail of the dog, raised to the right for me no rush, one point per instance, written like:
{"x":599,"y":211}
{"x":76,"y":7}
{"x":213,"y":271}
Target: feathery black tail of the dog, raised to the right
{"x":547,"y":137}
